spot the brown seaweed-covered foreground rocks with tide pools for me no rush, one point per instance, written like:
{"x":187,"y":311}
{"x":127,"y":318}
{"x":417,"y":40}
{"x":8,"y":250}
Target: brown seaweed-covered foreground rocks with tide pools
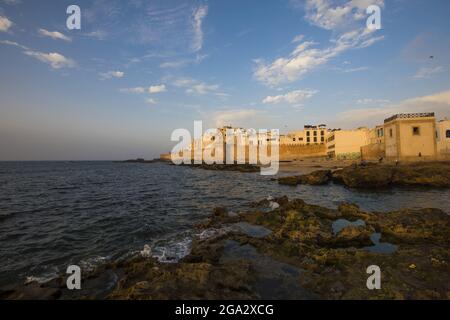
{"x":283,"y":249}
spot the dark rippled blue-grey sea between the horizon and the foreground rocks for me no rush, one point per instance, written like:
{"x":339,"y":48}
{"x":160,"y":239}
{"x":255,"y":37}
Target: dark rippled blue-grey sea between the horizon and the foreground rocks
{"x":53,"y":214}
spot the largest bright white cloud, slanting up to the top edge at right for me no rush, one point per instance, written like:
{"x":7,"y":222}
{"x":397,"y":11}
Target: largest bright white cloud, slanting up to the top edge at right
{"x":305,"y":57}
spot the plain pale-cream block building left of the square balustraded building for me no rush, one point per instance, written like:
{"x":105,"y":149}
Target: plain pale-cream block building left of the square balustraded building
{"x":346,"y":144}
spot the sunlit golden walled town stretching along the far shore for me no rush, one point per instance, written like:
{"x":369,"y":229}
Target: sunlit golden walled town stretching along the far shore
{"x":402,"y":137}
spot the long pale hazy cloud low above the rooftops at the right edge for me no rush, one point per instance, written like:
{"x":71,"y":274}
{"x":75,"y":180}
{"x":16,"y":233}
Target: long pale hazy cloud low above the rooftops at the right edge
{"x":438,"y":103}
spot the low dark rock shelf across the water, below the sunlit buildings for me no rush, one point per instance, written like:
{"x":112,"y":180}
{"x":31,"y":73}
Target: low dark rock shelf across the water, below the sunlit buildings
{"x":427,"y":174}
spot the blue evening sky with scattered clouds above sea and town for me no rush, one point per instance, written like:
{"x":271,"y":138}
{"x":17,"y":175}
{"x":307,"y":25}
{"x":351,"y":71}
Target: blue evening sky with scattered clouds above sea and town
{"x":137,"y":70}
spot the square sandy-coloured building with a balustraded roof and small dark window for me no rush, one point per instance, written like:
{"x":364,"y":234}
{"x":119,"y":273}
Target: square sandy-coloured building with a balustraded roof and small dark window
{"x":410,"y":136}
